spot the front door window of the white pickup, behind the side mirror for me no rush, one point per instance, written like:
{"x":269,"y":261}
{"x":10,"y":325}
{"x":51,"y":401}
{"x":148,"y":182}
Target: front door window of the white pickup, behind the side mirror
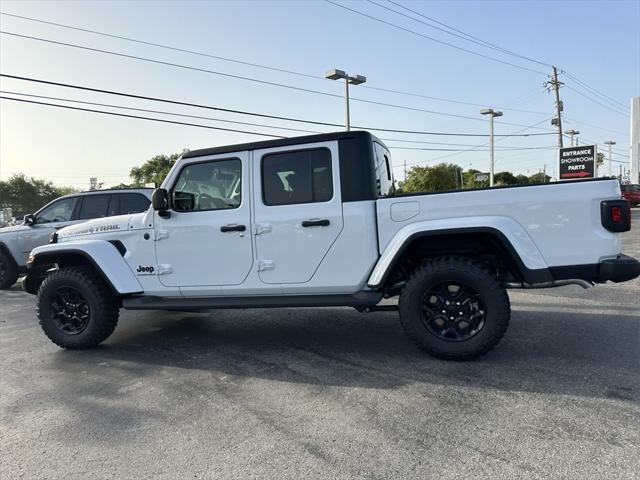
{"x":214,"y":185}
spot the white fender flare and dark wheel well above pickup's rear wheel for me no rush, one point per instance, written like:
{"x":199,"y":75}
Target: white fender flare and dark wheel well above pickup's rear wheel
{"x":420,"y":244}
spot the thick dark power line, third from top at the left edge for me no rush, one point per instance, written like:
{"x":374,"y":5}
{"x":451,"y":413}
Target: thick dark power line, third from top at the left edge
{"x":242,"y":112}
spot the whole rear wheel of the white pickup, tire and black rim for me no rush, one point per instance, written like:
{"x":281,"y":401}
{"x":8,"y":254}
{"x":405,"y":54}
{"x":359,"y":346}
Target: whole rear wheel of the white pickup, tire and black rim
{"x":454,"y":308}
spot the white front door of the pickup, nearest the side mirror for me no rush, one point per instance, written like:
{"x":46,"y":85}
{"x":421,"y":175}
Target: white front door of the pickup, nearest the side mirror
{"x":206,"y":241}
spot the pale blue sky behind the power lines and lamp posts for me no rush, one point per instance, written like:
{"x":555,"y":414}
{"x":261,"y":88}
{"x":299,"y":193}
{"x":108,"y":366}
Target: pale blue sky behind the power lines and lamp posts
{"x":597,"y":43}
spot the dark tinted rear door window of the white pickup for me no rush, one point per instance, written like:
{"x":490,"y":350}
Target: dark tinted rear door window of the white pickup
{"x":297,"y":177}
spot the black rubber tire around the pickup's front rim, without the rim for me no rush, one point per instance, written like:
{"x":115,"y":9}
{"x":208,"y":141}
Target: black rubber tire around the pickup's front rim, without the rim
{"x":102,"y":303}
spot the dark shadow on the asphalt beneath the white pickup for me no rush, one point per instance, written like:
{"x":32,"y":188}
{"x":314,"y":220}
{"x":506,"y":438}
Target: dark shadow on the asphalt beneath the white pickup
{"x":561,"y":353}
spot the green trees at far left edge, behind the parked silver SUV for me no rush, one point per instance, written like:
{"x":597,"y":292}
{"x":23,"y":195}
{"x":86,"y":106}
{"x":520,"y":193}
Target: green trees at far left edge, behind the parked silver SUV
{"x":27,"y":194}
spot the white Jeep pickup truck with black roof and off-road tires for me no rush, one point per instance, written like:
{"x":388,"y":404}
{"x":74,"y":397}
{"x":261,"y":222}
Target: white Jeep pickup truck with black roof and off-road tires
{"x":313,"y":222}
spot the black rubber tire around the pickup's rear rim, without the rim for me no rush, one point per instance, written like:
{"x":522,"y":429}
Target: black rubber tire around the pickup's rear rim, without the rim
{"x":466,"y":271}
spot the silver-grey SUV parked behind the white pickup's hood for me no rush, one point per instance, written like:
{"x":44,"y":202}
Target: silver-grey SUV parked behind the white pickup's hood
{"x":17,"y":241}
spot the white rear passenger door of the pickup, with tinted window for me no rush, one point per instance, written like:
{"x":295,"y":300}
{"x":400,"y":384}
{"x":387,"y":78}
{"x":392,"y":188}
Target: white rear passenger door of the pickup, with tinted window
{"x":298,"y":210}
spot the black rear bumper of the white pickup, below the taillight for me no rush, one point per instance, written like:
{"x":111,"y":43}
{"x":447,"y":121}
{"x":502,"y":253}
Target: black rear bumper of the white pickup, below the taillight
{"x":619,"y":269}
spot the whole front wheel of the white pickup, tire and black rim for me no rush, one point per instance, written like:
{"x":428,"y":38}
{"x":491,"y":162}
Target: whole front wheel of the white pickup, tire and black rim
{"x":76,"y":308}
